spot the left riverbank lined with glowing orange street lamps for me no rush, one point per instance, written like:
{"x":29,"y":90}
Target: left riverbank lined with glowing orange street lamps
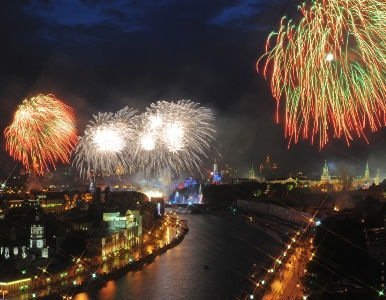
{"x":92,"y":277}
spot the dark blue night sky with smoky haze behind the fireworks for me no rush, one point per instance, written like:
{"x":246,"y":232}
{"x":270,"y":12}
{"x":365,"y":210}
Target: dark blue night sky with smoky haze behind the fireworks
{"x":102,"y":55}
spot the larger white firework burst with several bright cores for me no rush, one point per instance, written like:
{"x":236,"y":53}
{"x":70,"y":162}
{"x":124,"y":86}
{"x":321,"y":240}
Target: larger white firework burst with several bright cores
{"x":173,"y":135}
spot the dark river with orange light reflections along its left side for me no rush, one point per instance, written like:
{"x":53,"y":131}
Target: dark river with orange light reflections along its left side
{"x":225,"y":244}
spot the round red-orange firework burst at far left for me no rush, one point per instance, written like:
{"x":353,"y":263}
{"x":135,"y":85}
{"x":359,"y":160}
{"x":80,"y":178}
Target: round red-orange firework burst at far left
{"x":42,"y":133}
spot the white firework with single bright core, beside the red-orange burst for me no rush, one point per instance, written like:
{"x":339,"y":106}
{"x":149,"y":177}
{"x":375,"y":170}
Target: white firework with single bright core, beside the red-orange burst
{"x":105,"y":148}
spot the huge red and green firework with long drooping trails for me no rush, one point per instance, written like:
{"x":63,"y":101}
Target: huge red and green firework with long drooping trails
{"x":329,"y":68}
